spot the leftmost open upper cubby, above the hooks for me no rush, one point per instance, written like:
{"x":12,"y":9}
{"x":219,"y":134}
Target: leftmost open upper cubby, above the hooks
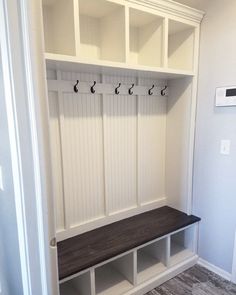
{"x":59,"y":32}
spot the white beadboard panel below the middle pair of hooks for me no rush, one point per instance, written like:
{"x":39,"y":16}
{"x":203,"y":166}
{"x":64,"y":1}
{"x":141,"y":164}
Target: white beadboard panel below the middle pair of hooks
{"x":120,"y":141}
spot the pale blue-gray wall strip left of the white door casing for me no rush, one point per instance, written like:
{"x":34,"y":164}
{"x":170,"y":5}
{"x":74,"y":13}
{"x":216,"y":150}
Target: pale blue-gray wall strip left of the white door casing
{"x":10,"y":272}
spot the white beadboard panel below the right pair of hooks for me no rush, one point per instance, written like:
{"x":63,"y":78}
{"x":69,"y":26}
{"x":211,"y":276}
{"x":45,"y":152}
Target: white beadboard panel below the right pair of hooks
{"x":151,"y":148}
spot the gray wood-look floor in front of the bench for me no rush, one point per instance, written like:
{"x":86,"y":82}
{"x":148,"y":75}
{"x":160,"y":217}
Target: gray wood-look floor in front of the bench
{"x":197,"y":281}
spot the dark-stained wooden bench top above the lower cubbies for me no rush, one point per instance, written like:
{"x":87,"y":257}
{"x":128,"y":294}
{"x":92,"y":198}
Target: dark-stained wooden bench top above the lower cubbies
{"x":88,"y":249}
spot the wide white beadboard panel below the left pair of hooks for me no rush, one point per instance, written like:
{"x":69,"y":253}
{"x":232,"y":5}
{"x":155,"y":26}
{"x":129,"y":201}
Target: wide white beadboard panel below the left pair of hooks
{"x":83,"y":157}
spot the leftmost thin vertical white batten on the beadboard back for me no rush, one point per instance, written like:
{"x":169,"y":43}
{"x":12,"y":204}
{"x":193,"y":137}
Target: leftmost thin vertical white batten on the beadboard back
{"x":61,"y":124}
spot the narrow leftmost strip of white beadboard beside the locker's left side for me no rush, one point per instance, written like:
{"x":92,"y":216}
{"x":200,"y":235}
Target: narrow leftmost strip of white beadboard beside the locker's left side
{"x":56,"y":159}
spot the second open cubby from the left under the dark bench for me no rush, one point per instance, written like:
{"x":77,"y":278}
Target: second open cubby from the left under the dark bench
{"x":115,"y":277}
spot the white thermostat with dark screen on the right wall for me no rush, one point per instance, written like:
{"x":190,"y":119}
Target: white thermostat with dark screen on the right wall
{"x":226,"y":96}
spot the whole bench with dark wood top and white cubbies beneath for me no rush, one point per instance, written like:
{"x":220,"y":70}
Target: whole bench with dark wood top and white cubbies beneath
{"x":130,"y":256}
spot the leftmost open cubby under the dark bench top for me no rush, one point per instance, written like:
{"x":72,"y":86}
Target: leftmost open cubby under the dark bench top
{"x":80,"y":285}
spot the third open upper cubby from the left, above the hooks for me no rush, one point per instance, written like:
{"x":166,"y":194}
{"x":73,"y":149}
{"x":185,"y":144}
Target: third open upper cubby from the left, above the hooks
{"x":145,"y":38}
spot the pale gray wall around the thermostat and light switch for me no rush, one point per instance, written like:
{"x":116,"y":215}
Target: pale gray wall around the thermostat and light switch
{"x":215,"y":174}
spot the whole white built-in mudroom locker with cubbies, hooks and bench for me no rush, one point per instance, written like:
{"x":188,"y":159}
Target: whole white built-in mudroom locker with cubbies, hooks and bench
{"x":122,"y":83}
